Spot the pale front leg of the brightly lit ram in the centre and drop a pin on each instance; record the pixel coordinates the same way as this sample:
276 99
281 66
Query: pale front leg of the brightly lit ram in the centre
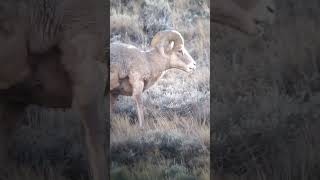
136 95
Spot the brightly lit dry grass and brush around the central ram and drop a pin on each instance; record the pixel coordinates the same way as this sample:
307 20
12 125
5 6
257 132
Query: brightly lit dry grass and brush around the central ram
174 143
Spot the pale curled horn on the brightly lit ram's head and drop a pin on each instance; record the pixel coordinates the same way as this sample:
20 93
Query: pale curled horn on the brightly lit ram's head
164 38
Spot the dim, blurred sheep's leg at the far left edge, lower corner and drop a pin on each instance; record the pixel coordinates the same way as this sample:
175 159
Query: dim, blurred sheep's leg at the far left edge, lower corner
9 114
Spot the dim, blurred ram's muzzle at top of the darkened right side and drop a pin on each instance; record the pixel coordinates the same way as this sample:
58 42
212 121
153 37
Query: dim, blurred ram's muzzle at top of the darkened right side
247 16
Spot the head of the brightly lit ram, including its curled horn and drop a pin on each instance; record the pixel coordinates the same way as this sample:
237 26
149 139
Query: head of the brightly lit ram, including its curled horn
170 45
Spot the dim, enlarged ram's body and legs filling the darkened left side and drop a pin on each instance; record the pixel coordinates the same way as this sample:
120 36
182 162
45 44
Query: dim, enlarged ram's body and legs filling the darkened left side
58 42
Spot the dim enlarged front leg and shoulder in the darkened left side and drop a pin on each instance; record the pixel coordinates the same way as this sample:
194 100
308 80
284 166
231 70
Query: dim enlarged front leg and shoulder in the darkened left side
80 59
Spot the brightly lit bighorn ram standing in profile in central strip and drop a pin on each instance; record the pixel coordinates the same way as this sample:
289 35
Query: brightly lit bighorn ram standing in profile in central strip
132 70
